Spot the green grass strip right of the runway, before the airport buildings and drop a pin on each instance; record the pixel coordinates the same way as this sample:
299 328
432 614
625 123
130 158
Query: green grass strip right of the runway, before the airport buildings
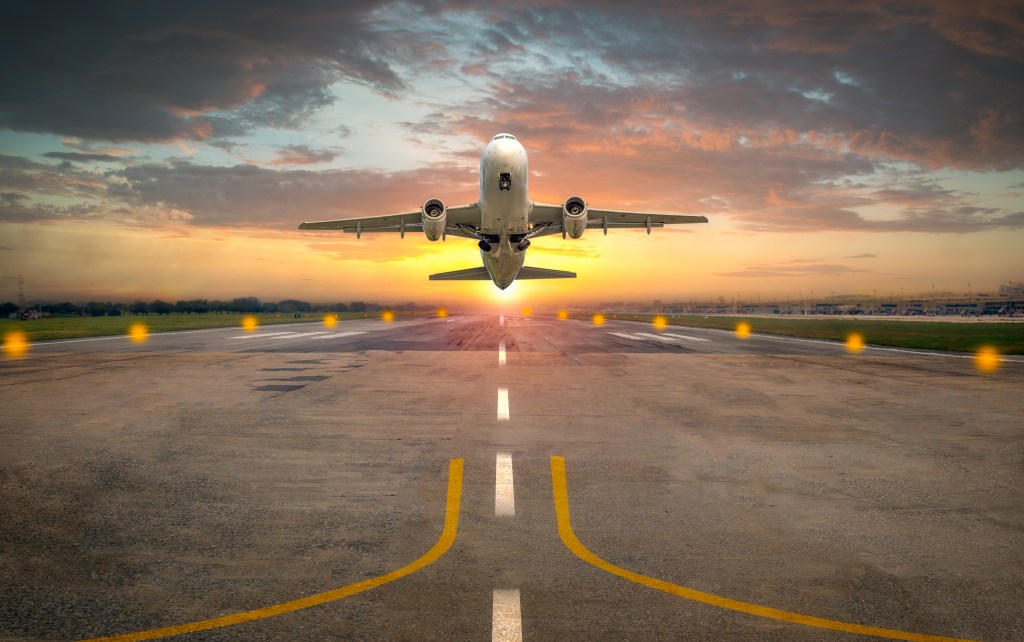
1007 338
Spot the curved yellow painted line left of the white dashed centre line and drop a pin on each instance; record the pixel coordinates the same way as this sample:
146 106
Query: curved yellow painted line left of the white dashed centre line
437 551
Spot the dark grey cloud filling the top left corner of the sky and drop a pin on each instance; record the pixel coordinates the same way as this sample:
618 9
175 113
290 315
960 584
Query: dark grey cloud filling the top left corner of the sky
117 71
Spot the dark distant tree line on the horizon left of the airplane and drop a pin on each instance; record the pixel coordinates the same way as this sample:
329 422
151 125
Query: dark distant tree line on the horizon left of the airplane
248 306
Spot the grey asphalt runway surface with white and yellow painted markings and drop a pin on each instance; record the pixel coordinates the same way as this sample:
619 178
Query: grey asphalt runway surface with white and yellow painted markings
503 479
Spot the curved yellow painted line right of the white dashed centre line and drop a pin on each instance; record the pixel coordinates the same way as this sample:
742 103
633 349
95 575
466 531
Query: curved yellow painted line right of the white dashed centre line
571 541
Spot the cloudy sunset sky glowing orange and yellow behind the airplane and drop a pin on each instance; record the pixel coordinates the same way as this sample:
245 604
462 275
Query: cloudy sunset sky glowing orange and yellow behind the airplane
170 150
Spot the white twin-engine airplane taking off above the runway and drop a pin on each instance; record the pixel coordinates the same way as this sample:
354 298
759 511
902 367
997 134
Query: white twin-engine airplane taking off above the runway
504 220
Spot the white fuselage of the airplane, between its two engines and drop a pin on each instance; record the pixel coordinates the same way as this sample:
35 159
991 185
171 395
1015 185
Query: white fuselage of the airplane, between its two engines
505 208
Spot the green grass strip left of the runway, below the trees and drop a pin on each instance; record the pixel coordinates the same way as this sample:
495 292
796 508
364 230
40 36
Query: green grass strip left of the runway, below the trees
80 327
